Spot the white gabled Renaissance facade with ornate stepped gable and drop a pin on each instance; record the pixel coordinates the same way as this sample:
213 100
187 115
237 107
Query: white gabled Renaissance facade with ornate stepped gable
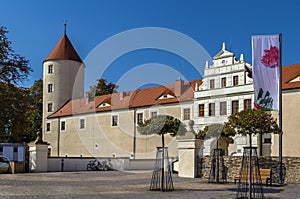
226 89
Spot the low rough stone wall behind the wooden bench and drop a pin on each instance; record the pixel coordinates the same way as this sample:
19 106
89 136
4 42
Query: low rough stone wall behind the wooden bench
291 167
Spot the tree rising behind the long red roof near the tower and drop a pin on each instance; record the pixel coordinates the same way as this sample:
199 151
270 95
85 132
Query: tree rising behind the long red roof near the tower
102 88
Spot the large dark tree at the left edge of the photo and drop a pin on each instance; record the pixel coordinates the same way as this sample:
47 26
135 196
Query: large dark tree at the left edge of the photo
14 70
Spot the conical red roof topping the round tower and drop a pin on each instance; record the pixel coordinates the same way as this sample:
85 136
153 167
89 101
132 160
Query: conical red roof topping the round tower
64 50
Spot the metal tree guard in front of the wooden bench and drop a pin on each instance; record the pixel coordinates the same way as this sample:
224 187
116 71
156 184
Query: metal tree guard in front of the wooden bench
250 185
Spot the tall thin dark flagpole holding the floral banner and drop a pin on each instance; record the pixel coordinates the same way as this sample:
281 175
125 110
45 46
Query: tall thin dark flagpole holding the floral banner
280 111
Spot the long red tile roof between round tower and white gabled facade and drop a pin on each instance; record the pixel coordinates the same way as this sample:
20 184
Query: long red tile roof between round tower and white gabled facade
131 99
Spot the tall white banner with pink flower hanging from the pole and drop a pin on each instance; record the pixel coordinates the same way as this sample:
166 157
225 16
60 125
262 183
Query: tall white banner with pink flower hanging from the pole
266 71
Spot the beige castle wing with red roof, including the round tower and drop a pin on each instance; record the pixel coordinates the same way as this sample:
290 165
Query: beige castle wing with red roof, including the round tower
107 125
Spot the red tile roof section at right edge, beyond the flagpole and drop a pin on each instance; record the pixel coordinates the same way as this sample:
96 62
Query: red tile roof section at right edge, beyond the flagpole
289 73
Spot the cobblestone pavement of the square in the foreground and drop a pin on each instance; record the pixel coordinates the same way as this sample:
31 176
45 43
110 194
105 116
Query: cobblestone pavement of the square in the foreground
117 184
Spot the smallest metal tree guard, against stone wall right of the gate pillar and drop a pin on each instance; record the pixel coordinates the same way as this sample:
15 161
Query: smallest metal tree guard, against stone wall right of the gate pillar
217 167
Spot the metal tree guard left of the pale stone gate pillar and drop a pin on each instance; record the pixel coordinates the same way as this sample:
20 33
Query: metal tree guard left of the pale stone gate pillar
162 176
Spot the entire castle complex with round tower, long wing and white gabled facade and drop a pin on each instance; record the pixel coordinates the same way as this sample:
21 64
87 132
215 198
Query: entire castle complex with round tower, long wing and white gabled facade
107 125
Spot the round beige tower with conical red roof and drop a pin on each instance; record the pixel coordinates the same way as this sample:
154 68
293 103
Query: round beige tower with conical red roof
63 79
